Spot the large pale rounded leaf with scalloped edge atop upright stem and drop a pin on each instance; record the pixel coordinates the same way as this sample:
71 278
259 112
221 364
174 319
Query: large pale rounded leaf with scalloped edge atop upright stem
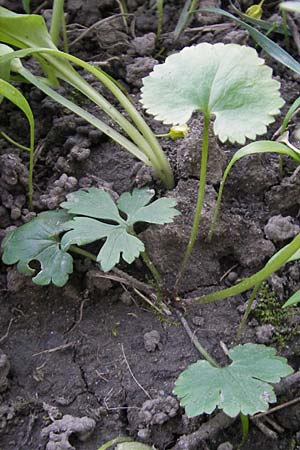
228 81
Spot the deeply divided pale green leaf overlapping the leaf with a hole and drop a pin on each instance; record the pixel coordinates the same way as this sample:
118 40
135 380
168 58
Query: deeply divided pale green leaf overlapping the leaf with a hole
120 238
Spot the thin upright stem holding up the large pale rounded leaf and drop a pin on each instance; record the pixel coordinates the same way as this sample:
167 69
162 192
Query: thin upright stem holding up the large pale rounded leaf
199 205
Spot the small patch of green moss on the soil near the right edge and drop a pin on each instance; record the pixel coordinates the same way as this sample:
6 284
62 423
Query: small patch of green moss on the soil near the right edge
269 311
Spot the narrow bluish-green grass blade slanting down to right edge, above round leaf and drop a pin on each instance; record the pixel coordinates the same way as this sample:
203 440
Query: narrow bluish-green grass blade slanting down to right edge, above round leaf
270 47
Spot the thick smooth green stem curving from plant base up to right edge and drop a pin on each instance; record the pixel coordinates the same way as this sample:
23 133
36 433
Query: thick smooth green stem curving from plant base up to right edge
277 261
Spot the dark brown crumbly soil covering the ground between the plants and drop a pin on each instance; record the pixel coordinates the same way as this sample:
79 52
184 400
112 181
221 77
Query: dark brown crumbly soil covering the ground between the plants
83 364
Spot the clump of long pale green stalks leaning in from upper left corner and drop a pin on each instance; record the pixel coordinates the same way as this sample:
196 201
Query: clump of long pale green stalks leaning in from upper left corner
16 30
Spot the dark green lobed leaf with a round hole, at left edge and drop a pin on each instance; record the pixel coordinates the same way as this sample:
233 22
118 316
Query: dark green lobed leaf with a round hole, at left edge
37 240
